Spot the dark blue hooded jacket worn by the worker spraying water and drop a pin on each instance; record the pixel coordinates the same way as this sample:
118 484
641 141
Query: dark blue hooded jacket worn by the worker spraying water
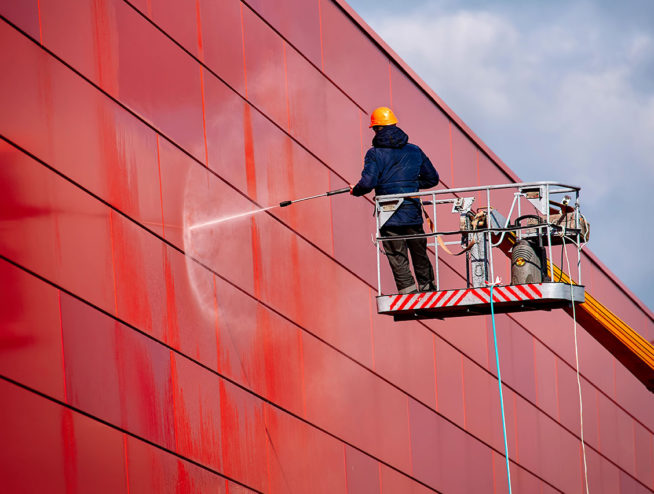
393 166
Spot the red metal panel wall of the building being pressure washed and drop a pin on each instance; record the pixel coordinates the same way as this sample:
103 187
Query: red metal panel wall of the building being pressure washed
138 357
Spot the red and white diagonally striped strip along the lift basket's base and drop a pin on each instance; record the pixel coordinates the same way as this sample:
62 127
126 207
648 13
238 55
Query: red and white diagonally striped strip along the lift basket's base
453 298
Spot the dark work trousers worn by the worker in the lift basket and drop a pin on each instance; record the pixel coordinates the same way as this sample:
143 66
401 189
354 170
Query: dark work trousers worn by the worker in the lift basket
397 252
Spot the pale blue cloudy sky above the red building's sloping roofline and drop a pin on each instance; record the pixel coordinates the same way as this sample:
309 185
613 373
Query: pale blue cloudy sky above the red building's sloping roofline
560 90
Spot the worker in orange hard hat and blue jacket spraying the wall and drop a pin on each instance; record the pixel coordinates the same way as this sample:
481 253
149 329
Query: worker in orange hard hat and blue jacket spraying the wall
394 166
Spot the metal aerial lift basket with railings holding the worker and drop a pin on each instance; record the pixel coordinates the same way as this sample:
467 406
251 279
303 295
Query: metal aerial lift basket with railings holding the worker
540 220
